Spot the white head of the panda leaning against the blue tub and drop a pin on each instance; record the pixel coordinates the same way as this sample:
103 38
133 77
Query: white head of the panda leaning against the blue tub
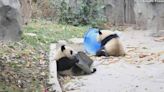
102 34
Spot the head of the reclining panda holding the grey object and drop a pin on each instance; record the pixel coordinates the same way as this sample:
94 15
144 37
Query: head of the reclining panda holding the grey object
65 51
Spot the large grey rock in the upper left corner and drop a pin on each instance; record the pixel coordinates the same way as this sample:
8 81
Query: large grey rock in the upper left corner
10 20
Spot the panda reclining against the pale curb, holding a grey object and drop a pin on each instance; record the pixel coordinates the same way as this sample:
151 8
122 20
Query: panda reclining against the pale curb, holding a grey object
66 61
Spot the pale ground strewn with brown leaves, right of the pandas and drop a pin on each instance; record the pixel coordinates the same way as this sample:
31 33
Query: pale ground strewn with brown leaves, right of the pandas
141 70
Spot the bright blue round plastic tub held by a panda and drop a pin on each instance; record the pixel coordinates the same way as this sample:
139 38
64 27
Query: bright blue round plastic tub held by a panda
90 43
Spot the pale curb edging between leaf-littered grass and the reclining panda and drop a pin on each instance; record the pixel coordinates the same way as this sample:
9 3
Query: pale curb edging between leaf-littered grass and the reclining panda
53 80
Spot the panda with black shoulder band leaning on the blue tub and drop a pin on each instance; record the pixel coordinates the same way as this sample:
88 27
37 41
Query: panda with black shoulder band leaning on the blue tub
110 44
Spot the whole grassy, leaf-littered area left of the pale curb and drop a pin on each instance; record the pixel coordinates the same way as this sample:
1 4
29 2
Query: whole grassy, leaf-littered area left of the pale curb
24 64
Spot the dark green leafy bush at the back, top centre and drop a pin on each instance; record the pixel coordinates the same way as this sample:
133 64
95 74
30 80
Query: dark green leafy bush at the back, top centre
87 13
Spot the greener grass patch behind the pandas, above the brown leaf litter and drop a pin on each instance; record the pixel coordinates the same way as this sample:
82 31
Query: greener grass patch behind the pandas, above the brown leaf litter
45 32
